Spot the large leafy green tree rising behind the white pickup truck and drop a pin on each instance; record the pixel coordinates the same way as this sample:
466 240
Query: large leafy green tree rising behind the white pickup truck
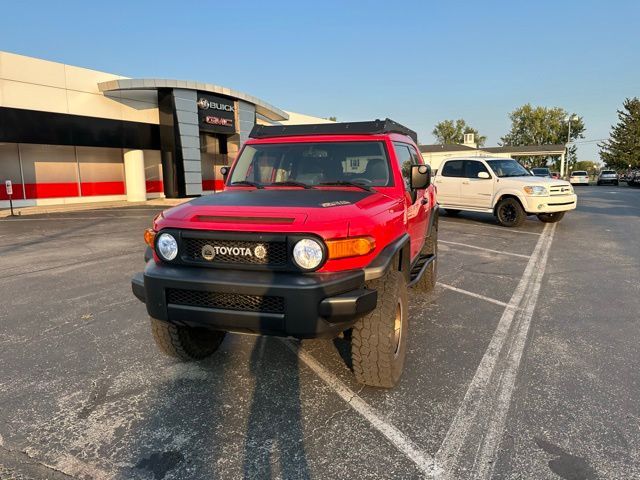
543 126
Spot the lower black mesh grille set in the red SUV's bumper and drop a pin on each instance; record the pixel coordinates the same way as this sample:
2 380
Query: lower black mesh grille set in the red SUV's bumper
225 301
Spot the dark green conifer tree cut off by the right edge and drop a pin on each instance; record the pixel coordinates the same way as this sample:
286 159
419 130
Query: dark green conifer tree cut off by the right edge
623 147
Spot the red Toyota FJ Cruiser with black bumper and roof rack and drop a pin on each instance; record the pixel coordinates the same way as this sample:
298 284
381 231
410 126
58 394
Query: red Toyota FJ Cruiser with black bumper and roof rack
320 230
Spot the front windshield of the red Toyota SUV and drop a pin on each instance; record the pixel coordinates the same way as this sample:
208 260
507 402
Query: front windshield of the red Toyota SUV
312 164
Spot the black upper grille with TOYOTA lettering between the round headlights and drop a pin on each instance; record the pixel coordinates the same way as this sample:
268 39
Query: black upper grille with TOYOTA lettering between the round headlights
235 252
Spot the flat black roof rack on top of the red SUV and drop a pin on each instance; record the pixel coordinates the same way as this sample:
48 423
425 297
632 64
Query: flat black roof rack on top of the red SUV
342 128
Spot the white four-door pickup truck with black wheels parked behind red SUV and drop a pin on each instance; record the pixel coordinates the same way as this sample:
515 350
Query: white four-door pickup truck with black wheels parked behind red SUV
503 187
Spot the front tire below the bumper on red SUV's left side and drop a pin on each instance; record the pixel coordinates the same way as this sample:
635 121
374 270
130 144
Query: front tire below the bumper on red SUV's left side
185 343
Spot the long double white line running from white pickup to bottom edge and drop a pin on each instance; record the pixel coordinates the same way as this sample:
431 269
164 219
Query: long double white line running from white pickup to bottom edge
475 434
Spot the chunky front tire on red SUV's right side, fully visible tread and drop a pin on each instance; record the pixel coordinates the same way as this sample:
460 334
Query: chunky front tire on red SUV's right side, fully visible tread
379 340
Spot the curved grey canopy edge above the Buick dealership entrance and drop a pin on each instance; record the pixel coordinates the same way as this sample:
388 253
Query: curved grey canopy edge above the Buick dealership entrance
262 107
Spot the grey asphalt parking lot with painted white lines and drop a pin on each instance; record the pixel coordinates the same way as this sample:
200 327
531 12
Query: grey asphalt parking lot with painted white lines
521 364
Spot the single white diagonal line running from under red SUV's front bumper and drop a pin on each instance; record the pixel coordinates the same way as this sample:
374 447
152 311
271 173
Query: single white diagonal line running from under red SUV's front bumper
422 460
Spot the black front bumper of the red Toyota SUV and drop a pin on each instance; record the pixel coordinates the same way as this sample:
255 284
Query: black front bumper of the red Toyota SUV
307 305
